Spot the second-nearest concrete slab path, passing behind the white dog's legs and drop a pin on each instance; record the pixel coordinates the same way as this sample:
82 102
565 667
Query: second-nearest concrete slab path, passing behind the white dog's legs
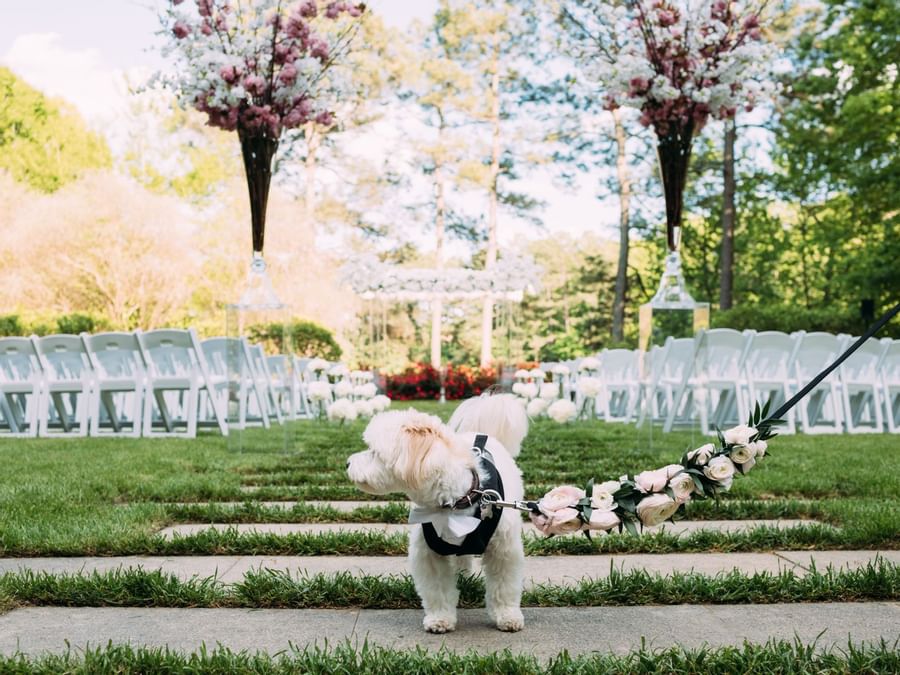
563 570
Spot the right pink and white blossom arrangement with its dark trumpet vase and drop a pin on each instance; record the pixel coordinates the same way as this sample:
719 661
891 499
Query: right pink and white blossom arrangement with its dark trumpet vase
679 63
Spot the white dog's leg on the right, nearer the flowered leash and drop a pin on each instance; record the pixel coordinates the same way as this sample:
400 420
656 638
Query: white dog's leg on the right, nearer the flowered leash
504 572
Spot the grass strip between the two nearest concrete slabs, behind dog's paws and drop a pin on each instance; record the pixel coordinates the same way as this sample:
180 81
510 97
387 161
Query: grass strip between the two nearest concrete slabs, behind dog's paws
272 589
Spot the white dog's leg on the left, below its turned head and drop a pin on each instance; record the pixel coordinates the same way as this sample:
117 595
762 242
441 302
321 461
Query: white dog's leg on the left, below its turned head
435 579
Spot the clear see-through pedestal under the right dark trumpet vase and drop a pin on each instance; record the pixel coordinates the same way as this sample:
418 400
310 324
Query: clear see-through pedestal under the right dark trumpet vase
672 312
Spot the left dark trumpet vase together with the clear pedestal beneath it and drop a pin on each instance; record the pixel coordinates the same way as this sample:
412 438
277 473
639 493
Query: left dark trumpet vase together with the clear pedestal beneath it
261 385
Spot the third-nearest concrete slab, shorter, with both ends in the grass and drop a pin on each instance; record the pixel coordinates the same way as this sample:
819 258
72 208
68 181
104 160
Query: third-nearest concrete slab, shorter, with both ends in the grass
678 528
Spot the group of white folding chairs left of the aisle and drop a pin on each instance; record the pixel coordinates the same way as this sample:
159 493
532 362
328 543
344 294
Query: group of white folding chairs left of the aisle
157 383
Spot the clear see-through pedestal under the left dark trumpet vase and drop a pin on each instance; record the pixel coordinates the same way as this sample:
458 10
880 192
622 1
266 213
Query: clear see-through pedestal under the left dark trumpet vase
260 391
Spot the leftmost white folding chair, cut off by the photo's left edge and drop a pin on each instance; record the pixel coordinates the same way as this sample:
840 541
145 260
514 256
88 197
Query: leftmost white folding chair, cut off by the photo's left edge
20 386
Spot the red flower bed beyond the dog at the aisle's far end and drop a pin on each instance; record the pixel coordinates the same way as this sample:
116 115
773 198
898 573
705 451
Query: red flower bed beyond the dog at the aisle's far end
422 381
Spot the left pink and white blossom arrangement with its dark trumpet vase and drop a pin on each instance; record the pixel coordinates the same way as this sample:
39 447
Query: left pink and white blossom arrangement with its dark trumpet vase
258 67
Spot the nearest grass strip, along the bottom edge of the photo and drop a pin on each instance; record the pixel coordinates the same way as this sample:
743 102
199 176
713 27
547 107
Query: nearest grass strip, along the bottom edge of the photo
774 657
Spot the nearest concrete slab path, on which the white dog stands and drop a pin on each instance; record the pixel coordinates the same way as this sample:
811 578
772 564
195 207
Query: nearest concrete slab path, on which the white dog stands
38 630
